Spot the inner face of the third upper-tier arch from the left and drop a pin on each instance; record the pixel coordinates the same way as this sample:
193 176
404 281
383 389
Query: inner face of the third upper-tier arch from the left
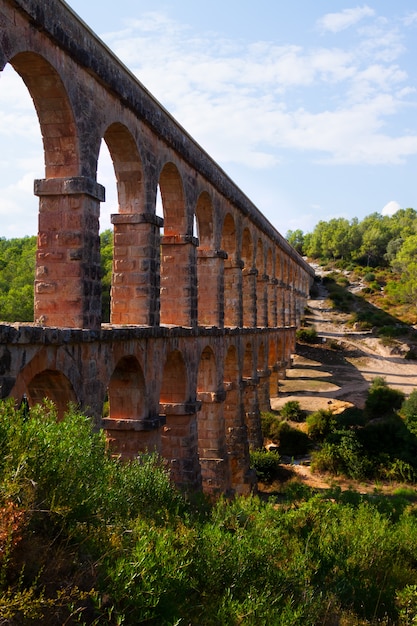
173 200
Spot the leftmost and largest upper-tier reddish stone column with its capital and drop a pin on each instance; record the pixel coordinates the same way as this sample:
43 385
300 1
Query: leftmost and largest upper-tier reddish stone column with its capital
68 274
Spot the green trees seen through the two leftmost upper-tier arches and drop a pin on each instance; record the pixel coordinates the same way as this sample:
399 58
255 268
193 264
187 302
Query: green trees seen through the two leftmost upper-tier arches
17 273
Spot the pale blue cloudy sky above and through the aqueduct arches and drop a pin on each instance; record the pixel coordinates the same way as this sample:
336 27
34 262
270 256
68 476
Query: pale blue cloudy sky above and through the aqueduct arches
310 107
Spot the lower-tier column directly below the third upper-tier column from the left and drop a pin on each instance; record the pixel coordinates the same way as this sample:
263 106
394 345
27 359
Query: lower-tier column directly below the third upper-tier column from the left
179 443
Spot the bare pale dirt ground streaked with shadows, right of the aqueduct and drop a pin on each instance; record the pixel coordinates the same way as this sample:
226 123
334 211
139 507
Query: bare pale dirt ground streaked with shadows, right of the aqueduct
336 374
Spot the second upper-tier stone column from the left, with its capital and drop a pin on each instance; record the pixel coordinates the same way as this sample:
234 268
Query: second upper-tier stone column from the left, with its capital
135 279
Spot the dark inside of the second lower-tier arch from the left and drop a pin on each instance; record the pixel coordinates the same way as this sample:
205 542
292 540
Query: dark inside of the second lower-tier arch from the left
127 390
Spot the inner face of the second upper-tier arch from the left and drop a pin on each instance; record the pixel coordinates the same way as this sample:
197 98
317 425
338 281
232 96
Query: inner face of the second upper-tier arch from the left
127 165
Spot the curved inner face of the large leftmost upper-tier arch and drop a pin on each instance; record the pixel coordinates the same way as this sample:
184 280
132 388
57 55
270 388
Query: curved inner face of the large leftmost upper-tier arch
54 112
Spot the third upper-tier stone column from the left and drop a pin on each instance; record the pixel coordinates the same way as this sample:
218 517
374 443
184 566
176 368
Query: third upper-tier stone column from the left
179 280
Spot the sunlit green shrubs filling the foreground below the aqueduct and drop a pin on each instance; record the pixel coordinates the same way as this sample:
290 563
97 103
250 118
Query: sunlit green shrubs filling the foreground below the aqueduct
86 539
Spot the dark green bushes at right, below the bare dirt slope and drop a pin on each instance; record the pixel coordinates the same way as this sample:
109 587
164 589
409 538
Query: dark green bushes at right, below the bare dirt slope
376 443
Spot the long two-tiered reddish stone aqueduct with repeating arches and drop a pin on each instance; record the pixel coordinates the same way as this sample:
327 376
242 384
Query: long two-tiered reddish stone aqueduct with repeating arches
202 324
